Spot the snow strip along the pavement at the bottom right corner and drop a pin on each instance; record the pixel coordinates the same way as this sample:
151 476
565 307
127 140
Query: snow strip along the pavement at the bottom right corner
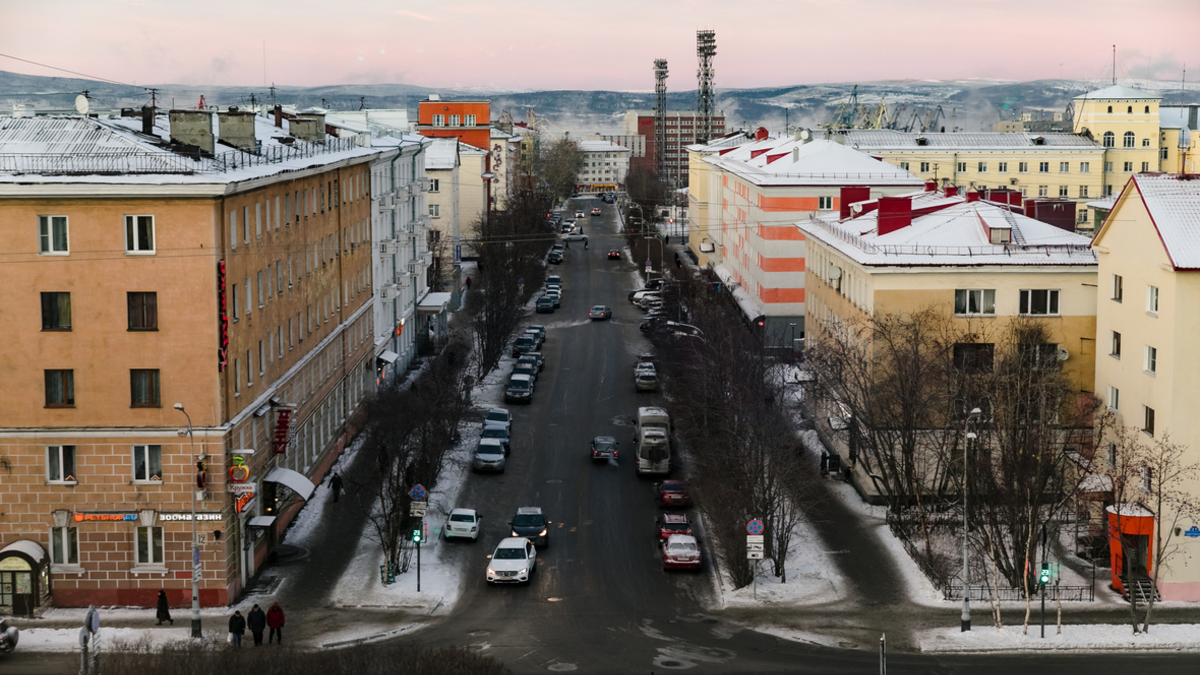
1078 638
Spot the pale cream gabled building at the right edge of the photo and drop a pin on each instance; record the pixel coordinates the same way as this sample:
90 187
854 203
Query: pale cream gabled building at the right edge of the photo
1147 363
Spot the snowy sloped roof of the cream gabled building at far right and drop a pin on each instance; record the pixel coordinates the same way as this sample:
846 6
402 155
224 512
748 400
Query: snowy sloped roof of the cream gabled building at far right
1174 206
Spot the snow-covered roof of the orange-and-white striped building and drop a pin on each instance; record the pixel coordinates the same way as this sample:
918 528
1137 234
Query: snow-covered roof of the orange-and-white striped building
790 162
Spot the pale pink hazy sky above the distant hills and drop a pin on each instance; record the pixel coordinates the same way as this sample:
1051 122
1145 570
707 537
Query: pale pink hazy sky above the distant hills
573 45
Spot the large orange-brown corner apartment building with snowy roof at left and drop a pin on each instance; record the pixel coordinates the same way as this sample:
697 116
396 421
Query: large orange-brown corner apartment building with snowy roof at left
190 307
